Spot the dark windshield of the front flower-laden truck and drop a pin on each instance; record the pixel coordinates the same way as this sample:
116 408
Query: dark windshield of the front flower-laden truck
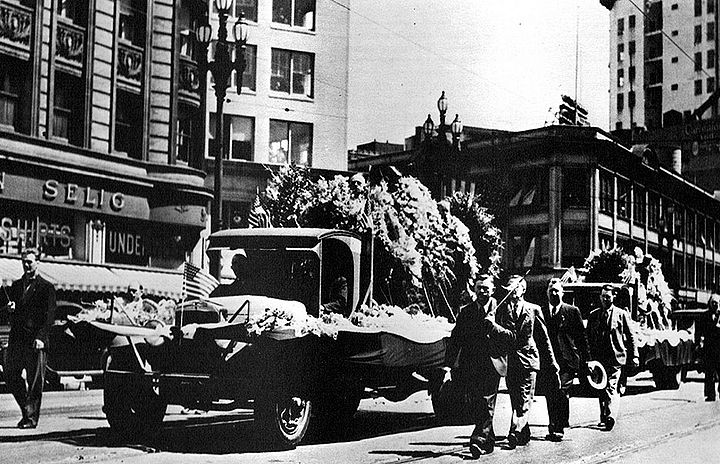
275 273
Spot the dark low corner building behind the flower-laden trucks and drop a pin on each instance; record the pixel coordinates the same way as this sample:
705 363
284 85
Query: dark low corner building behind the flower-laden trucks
559 192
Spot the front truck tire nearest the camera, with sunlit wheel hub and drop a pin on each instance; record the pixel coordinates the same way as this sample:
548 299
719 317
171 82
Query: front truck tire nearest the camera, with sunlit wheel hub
281 421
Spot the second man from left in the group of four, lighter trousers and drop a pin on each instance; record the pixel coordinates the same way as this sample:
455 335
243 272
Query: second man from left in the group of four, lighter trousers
518 316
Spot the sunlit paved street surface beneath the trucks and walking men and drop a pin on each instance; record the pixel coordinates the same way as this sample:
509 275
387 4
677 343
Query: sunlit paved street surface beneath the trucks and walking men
654 426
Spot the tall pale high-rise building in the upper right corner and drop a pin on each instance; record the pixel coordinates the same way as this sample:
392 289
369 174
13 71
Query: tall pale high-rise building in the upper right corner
663 61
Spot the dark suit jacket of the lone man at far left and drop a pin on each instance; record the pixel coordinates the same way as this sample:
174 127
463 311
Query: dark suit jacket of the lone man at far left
34 311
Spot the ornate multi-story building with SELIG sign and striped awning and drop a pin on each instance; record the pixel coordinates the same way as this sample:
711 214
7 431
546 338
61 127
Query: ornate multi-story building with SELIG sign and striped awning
98 101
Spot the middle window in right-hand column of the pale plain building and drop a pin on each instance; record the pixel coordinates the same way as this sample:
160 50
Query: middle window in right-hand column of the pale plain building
292 72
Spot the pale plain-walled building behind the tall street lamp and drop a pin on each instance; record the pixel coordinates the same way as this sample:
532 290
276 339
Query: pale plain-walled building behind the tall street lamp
293 103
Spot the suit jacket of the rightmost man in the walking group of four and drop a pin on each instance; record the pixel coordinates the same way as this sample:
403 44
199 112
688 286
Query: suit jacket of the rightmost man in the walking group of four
610 337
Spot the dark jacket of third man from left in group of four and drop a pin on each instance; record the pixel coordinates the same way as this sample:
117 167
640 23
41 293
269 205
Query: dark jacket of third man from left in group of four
567 335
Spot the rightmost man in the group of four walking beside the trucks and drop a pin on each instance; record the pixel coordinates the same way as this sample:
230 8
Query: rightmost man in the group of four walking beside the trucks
612 343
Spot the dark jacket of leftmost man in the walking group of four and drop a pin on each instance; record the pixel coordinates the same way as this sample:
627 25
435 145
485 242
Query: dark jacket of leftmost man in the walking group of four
478 345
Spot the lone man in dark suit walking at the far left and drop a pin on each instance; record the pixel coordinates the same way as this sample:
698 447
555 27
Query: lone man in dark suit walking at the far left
32 306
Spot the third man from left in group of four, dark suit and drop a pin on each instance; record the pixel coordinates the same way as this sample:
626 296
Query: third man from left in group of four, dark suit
567 335
